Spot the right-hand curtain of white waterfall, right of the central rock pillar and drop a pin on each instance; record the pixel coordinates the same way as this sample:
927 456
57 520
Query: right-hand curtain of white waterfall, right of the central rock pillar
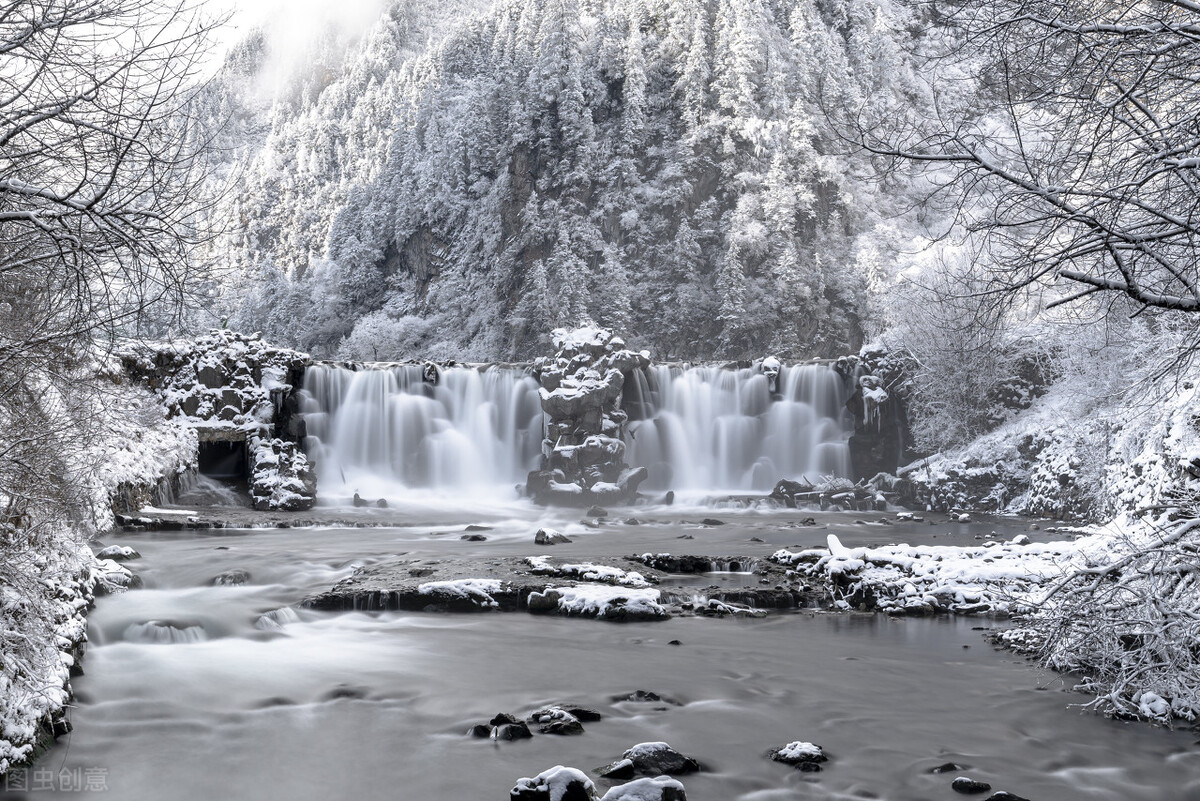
705 429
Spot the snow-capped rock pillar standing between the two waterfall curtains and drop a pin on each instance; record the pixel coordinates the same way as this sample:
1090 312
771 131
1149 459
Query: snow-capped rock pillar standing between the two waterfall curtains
584 455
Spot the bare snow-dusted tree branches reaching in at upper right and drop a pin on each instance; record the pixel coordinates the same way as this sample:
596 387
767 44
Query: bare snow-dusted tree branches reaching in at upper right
1071 133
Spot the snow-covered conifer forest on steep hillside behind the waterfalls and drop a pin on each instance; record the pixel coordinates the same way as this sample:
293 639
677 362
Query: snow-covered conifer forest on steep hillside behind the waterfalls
457 185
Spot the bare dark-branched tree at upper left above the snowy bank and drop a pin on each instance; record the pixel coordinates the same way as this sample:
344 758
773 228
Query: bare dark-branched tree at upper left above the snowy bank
101 164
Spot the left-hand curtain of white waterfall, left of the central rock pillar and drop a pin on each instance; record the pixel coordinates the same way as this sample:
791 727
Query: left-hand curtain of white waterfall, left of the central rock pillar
381 432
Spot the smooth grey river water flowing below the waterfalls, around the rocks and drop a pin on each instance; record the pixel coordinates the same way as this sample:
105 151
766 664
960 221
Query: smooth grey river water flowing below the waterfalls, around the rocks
376 707
